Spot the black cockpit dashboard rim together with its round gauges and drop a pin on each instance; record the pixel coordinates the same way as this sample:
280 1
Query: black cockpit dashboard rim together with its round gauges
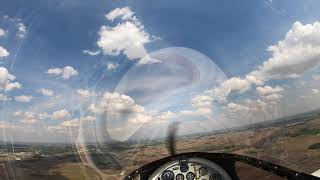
207 166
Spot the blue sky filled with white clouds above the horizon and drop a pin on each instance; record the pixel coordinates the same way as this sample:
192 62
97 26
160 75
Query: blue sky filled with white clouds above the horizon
118 70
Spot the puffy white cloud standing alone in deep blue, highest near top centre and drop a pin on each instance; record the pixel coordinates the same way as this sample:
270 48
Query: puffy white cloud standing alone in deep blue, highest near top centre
127 37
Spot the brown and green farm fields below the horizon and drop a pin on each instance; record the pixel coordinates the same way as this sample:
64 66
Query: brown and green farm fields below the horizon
293 144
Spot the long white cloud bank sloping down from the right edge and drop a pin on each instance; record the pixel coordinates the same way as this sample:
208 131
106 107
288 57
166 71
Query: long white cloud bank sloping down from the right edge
296 54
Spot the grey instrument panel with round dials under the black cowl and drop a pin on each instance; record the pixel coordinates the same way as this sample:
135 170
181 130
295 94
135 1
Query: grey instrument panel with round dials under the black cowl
190 169
